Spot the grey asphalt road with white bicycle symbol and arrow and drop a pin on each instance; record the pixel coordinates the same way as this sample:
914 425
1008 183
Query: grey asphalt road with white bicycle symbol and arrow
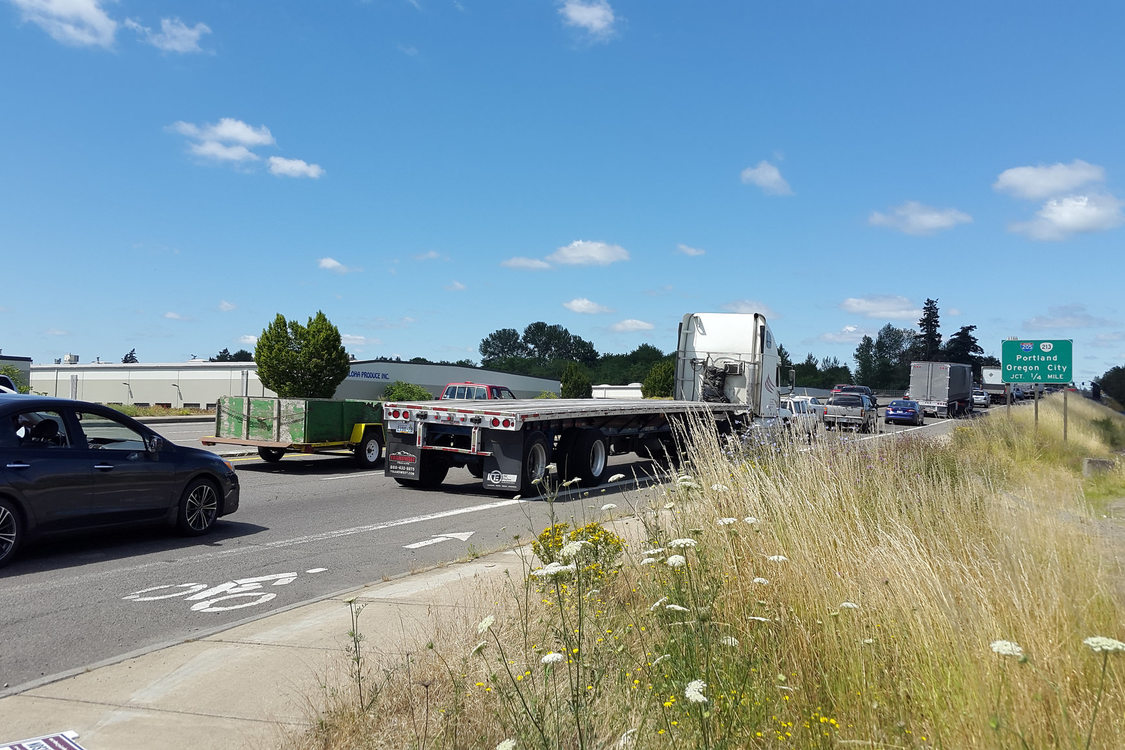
309 528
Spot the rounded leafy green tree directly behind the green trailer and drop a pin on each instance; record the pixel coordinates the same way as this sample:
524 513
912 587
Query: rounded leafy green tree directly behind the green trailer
302 362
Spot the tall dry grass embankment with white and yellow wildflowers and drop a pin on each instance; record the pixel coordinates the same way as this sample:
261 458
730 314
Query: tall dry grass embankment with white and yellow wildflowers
889 594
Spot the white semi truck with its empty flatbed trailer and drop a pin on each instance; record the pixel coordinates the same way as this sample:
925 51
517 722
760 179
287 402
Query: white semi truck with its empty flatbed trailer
726 374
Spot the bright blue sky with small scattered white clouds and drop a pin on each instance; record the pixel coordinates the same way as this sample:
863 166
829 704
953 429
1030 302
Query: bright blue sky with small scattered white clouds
174 175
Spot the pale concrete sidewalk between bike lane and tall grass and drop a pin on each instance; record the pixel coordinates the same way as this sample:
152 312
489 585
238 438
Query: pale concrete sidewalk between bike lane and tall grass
242 688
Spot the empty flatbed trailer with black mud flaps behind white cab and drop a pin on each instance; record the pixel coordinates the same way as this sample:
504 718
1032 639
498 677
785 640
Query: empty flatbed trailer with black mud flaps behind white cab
509 445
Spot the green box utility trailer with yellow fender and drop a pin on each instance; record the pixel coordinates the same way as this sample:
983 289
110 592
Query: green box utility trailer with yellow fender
300 426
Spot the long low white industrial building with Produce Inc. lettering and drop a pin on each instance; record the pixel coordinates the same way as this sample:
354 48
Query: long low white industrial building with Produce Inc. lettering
199 384
